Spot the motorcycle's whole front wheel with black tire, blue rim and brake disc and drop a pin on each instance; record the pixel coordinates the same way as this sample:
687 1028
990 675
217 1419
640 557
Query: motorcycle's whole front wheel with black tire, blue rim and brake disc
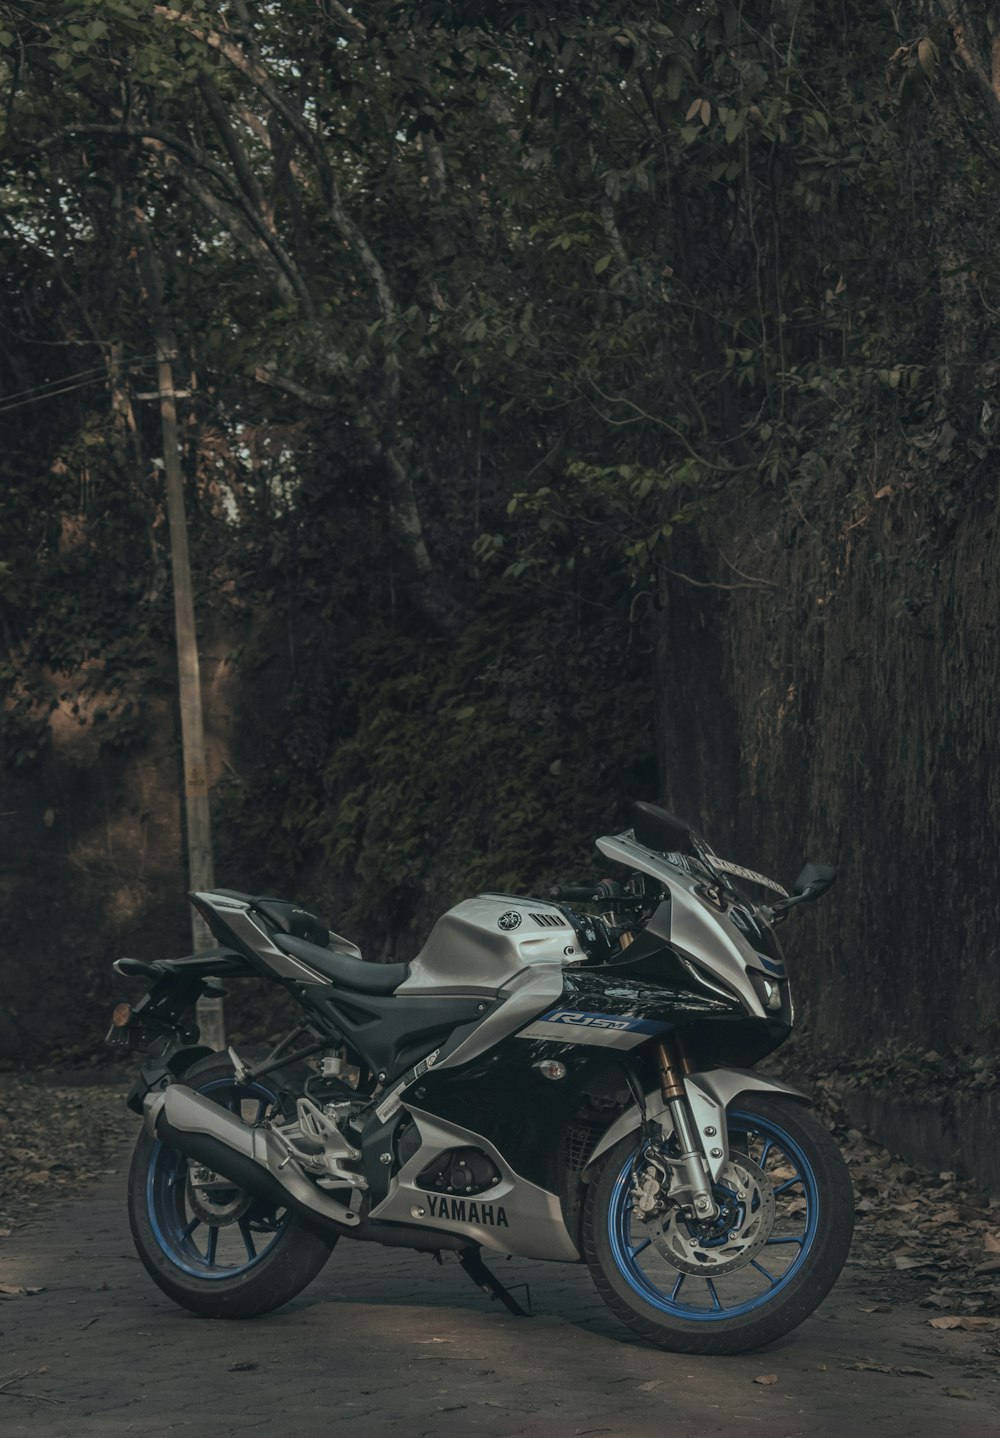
765 1265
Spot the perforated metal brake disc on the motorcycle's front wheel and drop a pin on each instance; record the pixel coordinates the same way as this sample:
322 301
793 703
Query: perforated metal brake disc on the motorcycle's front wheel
746 1199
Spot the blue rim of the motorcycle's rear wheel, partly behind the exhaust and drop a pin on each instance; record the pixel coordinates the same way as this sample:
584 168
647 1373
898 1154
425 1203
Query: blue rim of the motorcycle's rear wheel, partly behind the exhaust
192 1243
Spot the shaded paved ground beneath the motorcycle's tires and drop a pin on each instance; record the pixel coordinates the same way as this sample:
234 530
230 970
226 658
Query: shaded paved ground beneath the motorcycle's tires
389 1344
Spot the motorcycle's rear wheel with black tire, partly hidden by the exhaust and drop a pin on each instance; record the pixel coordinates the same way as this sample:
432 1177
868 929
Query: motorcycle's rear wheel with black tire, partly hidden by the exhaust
217 1250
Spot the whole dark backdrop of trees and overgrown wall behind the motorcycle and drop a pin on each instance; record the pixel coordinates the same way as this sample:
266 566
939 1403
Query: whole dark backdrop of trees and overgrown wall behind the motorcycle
576 405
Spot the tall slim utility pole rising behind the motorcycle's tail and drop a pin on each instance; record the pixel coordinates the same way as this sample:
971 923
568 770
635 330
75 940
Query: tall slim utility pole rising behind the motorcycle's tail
189 674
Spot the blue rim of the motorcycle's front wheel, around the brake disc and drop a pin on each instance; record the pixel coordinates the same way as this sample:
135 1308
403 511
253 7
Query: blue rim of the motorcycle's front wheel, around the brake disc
716 1298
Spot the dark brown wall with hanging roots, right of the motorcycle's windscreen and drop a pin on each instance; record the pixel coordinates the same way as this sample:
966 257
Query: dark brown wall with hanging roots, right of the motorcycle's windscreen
853 720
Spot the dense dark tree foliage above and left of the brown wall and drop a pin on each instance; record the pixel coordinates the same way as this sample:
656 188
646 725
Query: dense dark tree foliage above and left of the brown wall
480 308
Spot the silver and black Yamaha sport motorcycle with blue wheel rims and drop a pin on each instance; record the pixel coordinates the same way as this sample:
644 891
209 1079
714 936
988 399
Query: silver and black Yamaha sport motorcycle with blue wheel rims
566 1078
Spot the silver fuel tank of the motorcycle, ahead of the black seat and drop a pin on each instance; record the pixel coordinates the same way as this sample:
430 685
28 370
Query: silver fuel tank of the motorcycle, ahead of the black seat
484 943
